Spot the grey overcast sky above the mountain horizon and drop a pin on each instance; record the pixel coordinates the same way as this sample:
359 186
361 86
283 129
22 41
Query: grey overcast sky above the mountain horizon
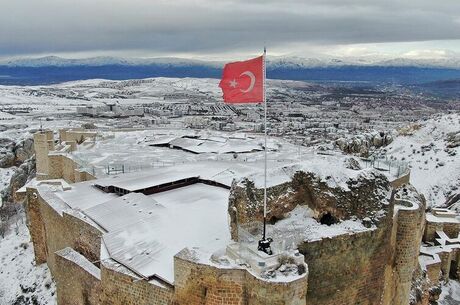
224 29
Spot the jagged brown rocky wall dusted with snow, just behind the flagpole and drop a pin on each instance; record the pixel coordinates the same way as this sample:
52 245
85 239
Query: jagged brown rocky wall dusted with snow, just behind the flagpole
364 197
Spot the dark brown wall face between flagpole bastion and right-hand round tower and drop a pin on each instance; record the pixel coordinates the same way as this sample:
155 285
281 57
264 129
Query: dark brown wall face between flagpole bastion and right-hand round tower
349 269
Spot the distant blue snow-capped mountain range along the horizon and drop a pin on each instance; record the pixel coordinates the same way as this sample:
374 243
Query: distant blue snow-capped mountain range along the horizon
53 69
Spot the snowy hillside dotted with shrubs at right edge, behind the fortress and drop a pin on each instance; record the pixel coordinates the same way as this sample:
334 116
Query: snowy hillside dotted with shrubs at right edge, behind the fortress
434 172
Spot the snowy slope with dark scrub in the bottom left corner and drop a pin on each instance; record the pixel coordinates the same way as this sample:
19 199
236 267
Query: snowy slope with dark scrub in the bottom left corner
21 280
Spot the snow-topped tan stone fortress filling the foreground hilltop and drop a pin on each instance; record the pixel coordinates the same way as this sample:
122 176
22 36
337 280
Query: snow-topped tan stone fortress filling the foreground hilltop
187 234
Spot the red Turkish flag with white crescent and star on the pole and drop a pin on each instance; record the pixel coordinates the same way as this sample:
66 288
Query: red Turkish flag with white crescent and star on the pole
243 81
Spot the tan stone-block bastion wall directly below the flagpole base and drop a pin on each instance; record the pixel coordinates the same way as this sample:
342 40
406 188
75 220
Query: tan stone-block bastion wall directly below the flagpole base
197 284
